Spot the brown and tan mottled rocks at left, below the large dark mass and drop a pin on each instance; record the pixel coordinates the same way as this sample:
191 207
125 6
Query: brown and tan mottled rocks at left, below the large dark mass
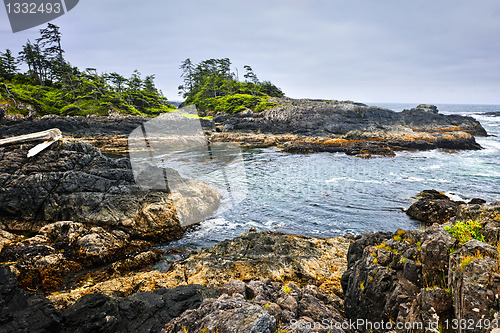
64 247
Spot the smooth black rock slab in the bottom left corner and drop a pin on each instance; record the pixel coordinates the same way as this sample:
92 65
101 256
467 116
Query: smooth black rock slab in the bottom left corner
23 311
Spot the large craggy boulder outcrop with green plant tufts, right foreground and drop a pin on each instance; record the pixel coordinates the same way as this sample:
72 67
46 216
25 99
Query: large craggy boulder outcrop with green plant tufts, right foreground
427 276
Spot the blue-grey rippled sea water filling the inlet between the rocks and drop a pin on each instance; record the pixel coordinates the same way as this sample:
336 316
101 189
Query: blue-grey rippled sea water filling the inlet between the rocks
332 194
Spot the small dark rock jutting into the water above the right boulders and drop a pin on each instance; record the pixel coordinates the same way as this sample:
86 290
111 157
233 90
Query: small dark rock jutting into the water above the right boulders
433 207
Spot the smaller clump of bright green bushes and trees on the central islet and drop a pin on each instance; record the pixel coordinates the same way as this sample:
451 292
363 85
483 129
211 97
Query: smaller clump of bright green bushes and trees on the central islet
211 86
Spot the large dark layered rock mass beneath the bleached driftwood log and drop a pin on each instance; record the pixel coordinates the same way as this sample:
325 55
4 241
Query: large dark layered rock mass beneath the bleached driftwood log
74 181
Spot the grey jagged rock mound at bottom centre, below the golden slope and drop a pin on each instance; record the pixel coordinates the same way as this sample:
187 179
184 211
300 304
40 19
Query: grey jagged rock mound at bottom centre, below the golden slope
260 306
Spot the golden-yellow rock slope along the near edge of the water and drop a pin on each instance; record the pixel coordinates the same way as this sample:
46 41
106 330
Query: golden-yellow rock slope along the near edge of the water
252 256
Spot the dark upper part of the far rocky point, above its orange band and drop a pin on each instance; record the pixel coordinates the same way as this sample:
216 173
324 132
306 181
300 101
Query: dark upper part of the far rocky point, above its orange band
322 118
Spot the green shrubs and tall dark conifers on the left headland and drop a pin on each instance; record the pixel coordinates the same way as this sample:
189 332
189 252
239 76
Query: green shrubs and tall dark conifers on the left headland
52 86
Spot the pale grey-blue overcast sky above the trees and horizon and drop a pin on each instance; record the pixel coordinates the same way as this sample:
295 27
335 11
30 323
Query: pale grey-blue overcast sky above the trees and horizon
425 51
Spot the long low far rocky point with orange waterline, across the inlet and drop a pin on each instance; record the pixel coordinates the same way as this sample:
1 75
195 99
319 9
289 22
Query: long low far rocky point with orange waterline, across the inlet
353 128
